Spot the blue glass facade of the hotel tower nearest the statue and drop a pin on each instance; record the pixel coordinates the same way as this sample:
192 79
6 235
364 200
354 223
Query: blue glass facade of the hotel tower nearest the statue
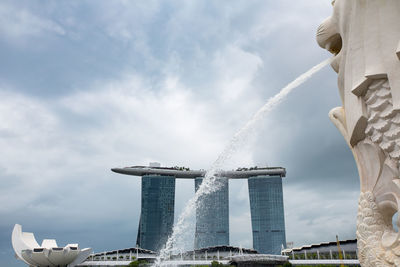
267 215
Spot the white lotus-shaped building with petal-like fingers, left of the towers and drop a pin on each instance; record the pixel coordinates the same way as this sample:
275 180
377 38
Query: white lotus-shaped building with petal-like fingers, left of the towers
48 254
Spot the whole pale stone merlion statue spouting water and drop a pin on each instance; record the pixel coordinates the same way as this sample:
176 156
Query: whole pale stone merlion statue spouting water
364 35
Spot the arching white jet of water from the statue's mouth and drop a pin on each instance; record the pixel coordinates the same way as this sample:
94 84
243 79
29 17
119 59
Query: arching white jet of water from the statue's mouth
210 182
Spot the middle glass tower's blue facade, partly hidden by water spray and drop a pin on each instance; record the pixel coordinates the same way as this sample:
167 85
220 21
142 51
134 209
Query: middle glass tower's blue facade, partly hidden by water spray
212 217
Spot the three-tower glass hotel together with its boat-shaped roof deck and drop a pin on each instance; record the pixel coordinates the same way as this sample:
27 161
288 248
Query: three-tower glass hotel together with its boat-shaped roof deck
212 217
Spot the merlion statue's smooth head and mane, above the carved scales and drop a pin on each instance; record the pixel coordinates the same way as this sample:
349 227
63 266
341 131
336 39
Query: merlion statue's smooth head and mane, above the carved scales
364 36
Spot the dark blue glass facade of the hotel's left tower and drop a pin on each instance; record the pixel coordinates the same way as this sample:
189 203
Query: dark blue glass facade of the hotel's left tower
157 214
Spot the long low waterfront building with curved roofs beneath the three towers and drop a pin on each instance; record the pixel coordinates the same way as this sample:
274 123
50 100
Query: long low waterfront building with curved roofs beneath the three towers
323 254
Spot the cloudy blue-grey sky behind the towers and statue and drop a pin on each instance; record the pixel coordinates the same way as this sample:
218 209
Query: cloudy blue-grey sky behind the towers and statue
89 85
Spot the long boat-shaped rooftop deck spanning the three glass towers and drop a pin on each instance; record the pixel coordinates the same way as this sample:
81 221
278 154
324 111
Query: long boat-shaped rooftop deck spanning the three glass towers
186 173
